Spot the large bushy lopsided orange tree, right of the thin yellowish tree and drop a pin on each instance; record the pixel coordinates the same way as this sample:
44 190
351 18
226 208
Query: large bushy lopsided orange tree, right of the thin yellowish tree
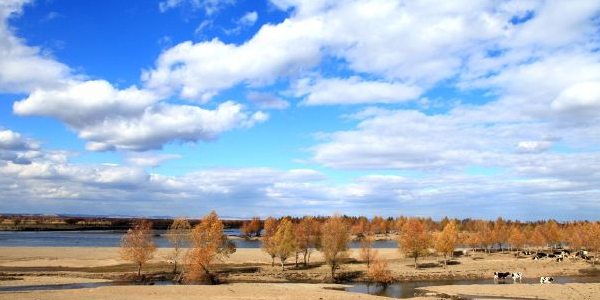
208 244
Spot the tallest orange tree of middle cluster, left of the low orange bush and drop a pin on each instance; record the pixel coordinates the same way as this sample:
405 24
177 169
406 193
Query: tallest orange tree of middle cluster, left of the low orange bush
335 236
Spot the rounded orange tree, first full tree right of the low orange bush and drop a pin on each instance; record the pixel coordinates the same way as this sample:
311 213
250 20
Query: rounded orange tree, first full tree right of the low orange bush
415 239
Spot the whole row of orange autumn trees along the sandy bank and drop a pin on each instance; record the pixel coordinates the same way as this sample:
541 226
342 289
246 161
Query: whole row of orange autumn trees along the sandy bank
295 239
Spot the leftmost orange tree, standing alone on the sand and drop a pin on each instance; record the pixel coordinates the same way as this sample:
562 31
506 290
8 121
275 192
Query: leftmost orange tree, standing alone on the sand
137 245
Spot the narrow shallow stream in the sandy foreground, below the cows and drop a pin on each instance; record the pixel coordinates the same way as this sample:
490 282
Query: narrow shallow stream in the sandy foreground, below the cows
408 289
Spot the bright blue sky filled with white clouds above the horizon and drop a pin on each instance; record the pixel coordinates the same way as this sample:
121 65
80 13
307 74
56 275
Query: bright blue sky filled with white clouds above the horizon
425 108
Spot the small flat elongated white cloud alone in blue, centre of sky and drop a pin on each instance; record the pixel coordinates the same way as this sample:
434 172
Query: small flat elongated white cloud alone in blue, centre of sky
353 90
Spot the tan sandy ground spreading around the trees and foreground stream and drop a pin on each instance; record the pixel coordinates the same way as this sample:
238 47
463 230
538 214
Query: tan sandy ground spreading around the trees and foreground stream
55 265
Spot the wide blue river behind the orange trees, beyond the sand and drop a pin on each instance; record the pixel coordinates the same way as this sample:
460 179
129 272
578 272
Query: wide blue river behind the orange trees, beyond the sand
108 238
